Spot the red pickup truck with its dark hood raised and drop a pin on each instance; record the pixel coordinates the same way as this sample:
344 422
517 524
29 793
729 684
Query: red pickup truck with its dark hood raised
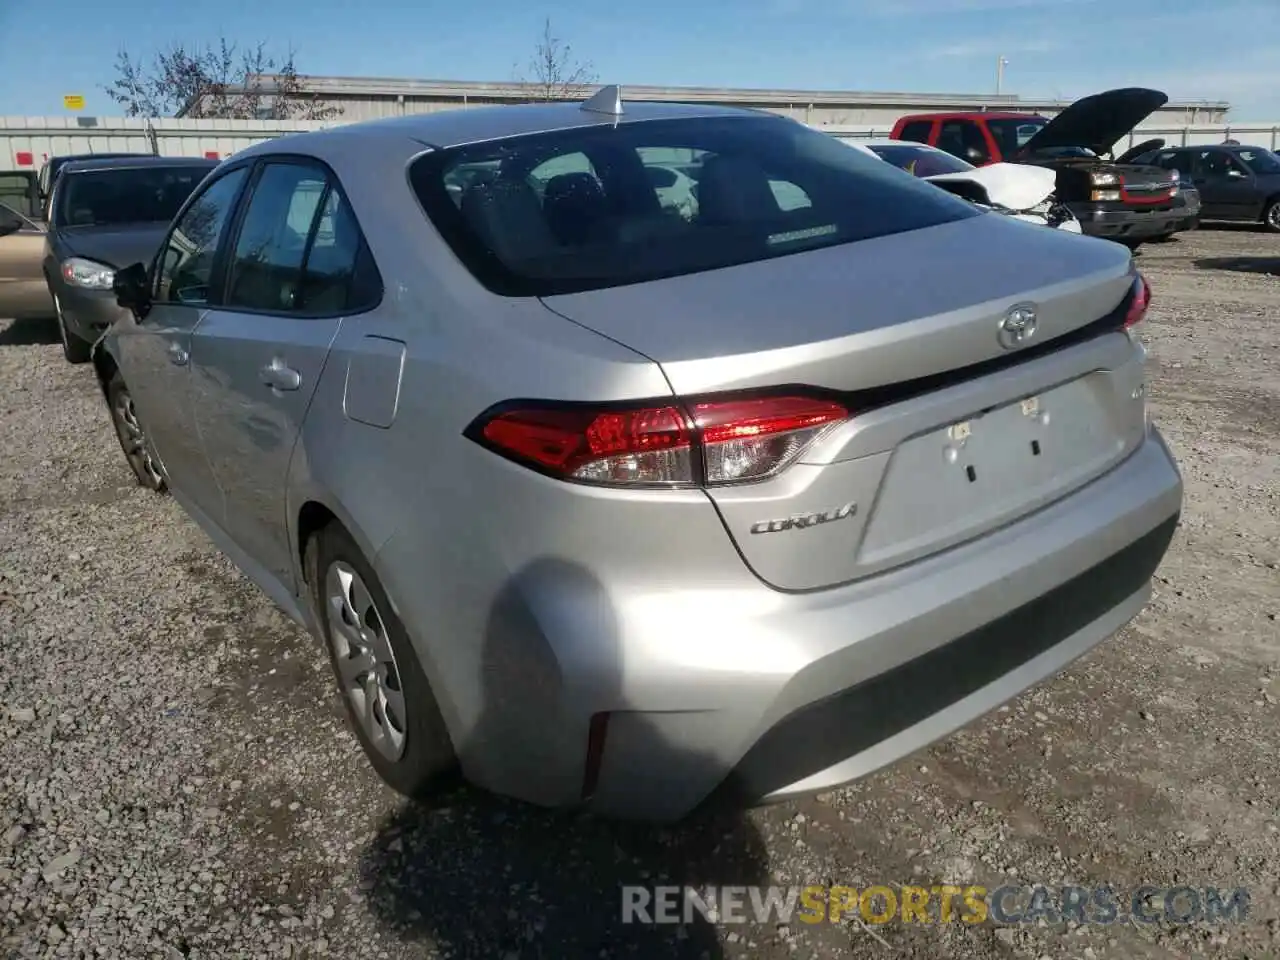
1122 202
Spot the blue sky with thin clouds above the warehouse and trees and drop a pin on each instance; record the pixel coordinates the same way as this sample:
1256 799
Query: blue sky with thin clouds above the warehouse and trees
1055 48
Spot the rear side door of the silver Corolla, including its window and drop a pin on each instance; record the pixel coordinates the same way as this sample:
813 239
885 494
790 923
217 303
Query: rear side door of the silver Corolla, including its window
260 354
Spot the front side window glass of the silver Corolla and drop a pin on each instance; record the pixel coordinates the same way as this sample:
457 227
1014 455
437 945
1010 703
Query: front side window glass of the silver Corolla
188 258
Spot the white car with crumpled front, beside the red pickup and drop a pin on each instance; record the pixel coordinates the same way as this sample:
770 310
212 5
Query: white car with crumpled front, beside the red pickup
1017 190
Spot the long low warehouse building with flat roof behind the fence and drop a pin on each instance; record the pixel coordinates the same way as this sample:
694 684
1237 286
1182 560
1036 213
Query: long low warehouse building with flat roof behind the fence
371 98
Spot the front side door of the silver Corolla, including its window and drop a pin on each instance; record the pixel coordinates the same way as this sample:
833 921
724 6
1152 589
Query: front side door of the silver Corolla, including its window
156 353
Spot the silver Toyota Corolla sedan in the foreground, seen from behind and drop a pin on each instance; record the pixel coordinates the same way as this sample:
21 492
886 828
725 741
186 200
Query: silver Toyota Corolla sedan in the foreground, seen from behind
638 502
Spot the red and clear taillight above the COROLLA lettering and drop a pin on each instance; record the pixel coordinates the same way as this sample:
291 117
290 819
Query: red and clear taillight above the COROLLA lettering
712 442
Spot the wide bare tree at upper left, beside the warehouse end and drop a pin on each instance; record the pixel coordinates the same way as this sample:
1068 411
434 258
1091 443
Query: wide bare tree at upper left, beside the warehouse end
218 80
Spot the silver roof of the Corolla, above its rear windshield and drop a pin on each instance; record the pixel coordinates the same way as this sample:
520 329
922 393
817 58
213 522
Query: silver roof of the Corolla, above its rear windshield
476 125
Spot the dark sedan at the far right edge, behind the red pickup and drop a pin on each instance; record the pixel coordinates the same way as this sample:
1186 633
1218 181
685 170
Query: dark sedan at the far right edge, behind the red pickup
1236 182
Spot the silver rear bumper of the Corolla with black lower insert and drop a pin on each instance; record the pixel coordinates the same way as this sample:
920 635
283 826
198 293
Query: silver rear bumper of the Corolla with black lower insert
749 694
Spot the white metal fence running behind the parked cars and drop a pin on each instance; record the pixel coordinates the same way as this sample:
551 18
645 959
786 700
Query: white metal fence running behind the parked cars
28 143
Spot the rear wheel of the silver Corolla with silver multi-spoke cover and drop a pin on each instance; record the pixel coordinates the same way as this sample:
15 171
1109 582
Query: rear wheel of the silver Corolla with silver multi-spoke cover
386 693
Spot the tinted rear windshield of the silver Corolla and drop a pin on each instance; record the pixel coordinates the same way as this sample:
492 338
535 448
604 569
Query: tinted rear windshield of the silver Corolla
604 207
